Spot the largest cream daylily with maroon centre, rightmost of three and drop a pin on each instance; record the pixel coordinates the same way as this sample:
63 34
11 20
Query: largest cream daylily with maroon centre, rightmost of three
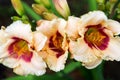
93 38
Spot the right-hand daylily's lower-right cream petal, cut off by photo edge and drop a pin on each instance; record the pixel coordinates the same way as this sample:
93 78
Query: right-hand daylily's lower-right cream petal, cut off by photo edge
113 50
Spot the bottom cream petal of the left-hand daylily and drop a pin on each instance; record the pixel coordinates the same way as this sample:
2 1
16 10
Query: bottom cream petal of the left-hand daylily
36 67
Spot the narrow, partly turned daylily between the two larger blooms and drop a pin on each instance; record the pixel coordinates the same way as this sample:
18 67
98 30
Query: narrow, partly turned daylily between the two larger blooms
56 50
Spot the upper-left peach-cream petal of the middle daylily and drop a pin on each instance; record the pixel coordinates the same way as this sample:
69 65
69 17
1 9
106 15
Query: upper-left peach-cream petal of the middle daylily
48 28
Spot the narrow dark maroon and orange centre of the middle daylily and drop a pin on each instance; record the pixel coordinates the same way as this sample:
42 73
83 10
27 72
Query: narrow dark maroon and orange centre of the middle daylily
55 44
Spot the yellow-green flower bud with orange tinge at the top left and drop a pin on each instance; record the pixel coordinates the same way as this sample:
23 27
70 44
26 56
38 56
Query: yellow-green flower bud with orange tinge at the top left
18 7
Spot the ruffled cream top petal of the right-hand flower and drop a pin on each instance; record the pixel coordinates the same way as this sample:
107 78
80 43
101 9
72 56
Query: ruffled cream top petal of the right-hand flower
93 18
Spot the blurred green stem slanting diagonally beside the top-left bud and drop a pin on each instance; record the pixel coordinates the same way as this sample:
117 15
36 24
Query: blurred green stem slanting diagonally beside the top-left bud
30 12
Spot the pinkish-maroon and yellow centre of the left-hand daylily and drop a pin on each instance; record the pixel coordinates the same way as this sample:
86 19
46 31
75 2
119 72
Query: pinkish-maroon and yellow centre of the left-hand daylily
19 49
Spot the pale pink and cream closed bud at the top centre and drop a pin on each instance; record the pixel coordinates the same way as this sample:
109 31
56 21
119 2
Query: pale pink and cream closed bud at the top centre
62 7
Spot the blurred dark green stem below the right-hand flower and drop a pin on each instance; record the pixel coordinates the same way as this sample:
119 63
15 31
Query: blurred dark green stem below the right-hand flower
97 73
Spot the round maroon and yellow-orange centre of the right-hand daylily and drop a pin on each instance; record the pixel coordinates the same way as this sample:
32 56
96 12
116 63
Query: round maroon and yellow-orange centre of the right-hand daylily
96 37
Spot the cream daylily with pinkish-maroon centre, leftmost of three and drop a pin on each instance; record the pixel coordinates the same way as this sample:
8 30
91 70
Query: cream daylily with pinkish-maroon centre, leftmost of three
19 47
